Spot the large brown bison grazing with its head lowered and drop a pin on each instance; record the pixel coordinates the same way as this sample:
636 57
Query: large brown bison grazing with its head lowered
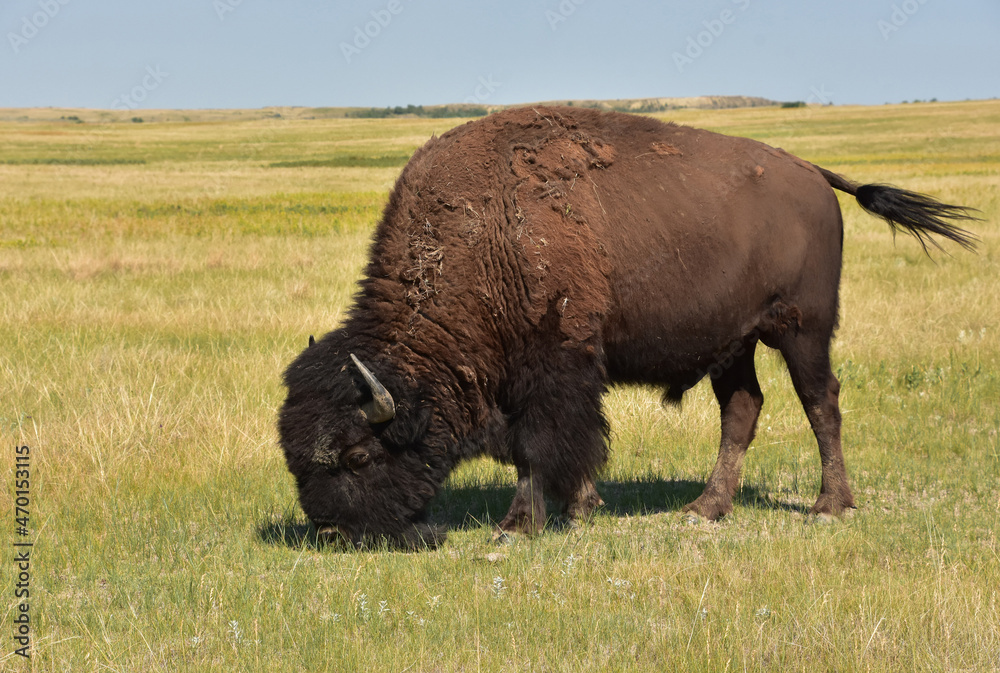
526 261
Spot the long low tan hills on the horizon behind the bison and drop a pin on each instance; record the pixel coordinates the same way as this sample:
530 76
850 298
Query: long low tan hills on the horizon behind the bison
86 115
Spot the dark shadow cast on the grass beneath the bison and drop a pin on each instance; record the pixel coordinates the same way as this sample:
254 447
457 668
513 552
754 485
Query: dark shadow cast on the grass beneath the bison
472 507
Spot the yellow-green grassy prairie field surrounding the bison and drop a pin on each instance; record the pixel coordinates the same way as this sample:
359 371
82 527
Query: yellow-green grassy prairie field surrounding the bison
156 278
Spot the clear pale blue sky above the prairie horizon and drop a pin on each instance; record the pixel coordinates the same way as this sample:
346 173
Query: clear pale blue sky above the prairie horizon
190 54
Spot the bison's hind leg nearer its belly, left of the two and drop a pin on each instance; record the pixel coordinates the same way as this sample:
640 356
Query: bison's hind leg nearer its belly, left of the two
740 401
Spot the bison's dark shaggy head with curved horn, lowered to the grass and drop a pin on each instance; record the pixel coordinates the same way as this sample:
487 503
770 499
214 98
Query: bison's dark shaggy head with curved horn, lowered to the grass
360 458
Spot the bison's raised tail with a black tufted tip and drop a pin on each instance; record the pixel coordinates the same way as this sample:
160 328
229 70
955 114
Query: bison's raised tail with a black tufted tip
916 214
